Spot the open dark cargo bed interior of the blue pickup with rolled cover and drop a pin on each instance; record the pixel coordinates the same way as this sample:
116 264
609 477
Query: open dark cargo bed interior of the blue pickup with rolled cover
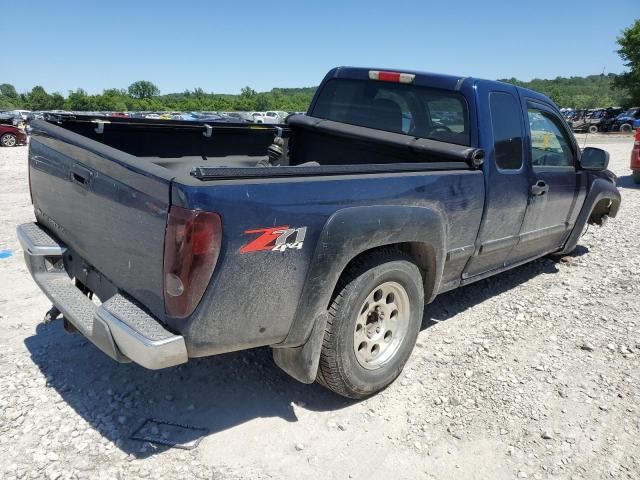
187 149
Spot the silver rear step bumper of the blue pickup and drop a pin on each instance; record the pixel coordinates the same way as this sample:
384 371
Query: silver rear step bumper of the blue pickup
119 327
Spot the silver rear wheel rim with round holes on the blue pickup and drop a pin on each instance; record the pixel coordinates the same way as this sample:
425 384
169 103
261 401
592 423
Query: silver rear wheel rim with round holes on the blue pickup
381 325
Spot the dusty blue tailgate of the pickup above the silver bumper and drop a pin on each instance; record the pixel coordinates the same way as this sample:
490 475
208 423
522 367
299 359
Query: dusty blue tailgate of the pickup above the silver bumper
108 207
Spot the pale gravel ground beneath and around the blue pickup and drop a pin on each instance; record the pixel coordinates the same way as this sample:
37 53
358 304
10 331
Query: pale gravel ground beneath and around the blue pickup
534 373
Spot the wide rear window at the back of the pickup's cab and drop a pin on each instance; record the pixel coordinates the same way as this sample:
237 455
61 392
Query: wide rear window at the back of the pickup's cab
395 107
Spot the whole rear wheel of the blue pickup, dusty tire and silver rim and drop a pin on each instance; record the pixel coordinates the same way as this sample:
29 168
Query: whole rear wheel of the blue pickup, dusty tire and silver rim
373 324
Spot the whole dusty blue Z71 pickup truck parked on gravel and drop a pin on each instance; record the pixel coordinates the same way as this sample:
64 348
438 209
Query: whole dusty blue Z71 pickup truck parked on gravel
322 238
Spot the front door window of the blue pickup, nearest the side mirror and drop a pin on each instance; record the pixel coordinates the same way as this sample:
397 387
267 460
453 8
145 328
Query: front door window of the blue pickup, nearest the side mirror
550 145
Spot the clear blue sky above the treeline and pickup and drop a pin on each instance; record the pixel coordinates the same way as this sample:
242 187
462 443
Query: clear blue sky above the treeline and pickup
223 46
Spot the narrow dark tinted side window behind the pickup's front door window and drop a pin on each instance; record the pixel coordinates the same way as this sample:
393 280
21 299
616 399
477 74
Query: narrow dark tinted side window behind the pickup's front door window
506 122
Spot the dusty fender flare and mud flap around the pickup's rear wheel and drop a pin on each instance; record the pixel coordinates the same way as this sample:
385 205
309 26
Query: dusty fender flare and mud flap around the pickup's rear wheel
348 233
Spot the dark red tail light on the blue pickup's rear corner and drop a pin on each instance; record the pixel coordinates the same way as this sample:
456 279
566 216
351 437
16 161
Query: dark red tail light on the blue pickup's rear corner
191 248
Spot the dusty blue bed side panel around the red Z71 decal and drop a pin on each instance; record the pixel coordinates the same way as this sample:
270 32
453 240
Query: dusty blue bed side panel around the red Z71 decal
253 297
